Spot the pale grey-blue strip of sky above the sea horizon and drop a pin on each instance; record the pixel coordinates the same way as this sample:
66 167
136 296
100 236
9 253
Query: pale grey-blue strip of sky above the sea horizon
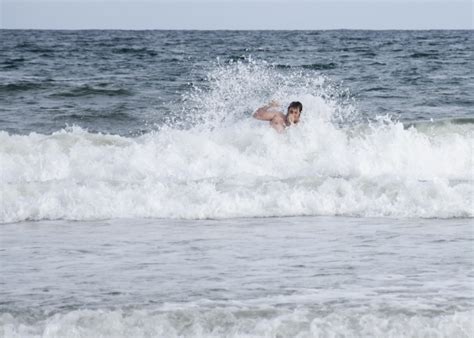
236 14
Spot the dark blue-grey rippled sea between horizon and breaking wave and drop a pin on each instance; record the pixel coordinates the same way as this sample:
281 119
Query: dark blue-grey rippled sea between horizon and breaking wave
128 82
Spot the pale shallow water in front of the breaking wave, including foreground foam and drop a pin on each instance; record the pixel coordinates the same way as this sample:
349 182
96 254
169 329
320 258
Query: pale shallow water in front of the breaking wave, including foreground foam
274 276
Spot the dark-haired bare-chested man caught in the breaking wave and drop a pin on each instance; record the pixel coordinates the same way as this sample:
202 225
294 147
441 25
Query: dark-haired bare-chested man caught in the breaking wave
277 119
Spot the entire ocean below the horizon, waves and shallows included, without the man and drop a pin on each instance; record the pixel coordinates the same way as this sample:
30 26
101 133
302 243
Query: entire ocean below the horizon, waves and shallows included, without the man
139 198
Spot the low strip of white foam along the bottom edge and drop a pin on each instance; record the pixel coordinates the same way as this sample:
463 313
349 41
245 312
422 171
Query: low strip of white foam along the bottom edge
235 322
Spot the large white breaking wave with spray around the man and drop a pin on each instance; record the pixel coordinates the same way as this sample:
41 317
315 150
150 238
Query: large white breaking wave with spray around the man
214 161
